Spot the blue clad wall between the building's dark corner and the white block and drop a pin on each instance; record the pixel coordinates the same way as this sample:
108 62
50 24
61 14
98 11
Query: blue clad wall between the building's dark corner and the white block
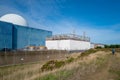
26 36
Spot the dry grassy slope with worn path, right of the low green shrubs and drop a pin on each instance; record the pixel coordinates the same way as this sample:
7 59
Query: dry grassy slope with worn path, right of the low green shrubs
101 65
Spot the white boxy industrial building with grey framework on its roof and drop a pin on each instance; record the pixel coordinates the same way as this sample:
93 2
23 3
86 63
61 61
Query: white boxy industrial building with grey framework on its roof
68 42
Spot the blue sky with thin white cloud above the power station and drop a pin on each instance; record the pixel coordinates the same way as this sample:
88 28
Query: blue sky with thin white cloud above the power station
99 19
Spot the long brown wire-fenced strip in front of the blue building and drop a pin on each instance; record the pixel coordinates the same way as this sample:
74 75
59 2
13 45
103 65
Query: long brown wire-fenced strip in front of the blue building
22 57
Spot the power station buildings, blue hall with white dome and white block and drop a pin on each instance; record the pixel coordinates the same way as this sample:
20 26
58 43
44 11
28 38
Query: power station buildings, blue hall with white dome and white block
15 34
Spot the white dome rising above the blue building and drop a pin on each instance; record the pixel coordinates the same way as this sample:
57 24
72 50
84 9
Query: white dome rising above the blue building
15 19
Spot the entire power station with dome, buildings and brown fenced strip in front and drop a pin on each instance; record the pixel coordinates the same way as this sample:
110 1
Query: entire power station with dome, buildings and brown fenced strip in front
20 43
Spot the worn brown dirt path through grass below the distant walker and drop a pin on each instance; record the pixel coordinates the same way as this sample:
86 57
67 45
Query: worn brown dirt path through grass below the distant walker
104 73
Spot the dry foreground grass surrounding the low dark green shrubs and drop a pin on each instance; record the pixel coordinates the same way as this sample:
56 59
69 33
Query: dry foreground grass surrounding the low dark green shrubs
77 70
